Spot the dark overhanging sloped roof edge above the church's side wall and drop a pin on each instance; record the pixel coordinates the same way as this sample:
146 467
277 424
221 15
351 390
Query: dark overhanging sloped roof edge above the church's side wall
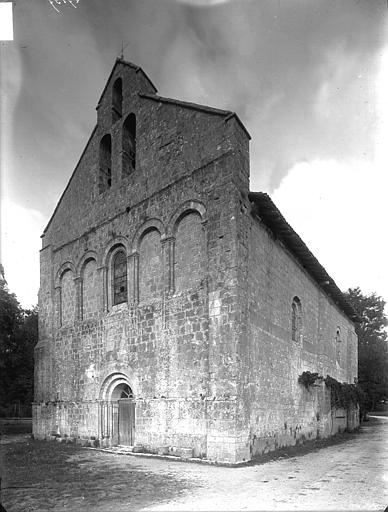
266 210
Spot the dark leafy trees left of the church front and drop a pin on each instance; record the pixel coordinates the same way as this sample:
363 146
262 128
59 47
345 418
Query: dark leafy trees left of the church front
18 336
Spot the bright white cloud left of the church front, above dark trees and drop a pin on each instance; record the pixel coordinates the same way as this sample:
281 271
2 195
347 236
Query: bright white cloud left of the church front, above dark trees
20 235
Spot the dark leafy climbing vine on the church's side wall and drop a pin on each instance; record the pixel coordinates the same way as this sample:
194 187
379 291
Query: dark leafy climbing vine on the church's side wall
342 394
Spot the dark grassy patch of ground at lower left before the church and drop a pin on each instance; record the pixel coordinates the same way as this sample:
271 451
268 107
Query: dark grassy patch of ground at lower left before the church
39 475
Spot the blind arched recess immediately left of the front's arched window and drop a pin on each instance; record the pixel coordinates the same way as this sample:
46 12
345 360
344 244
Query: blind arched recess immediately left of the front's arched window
90 289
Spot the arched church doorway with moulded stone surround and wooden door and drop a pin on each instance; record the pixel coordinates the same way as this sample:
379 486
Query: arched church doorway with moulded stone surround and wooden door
118 410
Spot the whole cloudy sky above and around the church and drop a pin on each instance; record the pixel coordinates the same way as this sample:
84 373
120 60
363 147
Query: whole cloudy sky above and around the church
309 79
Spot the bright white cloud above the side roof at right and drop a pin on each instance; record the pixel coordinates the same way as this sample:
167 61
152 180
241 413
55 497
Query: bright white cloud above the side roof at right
339 208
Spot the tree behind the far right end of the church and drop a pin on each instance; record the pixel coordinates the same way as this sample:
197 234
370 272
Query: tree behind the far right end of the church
372 346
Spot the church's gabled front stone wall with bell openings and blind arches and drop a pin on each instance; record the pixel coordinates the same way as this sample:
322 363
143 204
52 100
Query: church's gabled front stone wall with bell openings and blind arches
174 338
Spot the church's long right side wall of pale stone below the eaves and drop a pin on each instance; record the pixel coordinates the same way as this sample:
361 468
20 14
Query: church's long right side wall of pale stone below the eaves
278 411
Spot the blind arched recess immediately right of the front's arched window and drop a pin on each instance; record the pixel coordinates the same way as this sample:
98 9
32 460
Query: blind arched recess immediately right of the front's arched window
151 277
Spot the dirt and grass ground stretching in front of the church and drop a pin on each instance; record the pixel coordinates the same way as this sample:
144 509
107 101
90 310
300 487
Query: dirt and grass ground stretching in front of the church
350 473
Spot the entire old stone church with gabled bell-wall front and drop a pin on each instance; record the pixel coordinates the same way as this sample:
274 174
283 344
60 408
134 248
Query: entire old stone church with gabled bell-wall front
177 308
